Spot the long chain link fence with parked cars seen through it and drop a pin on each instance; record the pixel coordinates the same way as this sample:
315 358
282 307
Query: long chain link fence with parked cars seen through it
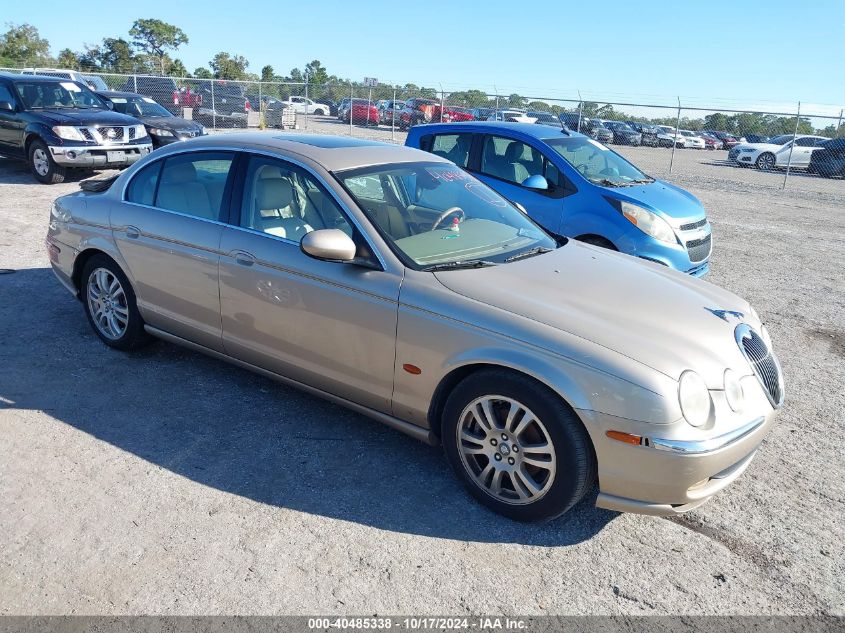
663 137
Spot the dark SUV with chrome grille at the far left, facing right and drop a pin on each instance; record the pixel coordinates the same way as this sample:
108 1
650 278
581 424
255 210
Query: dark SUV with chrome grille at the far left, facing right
56 124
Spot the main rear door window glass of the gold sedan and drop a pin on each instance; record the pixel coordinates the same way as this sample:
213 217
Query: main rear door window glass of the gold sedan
194 183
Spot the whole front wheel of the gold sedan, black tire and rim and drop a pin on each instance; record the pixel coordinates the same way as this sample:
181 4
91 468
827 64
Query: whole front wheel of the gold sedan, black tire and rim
516 446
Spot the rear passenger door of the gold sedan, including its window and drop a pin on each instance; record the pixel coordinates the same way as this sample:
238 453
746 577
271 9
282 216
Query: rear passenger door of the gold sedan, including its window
168 232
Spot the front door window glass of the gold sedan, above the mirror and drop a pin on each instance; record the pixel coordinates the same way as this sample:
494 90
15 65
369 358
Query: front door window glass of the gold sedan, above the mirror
285 201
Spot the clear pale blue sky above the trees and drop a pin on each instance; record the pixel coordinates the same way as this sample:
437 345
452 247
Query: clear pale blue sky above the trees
751 54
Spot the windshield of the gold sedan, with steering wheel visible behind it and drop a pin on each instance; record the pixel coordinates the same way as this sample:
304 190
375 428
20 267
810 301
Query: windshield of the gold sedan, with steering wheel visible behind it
435 213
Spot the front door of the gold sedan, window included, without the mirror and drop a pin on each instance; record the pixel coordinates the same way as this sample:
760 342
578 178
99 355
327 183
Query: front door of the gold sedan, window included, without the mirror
329 325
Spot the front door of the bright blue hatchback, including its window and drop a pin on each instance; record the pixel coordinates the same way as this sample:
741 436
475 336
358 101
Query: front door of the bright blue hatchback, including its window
505 163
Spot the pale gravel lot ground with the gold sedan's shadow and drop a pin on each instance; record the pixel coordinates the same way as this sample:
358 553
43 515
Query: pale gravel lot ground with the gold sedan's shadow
168 483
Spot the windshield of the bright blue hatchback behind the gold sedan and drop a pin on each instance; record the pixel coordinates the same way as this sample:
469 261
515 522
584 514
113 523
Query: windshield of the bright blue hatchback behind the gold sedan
597 163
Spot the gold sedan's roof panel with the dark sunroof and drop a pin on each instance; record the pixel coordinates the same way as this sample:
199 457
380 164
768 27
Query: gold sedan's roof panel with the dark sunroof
335 153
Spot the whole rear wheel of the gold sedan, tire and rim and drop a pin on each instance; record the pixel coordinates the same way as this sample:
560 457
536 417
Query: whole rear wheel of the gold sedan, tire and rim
110 305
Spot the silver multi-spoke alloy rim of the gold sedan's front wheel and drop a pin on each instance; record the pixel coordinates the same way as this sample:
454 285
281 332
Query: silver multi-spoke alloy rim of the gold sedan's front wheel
506 449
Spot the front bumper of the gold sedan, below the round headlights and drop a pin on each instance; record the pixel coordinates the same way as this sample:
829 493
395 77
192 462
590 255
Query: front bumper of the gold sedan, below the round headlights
662 476
